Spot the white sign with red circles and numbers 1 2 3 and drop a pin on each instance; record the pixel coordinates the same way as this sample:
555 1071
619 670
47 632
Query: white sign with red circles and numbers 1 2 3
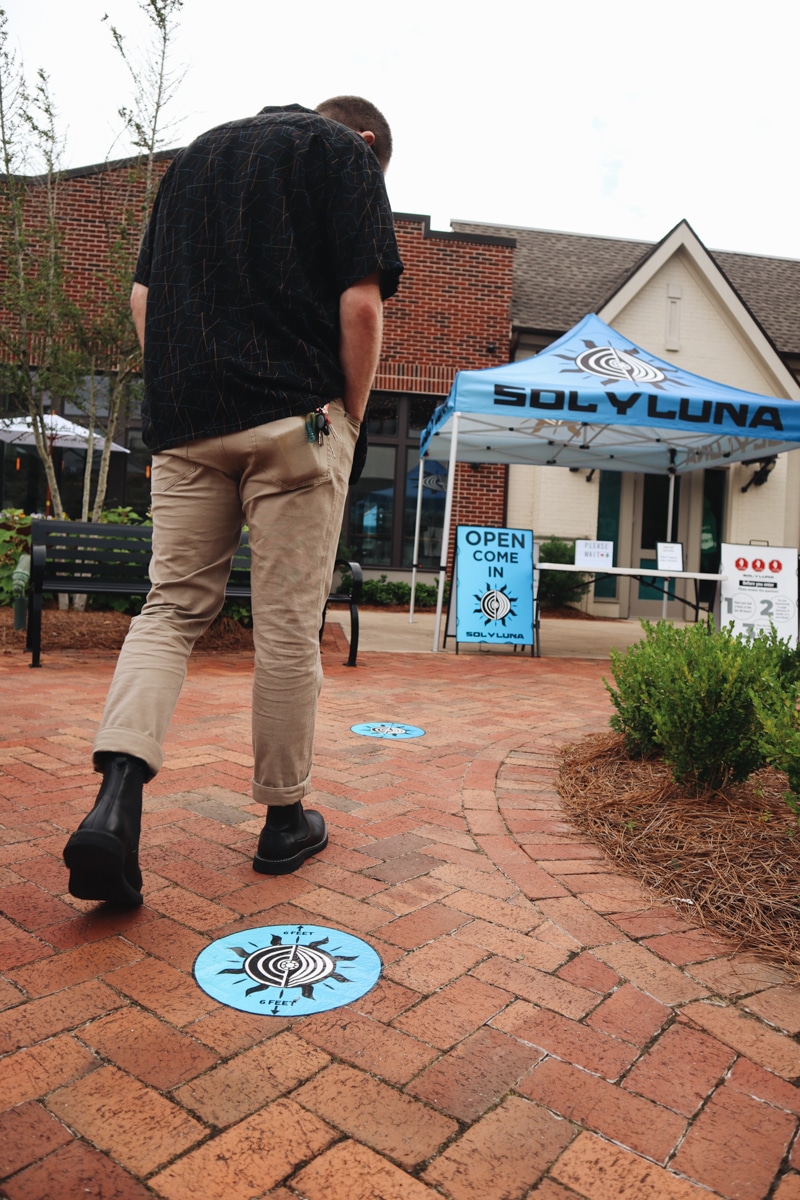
761 591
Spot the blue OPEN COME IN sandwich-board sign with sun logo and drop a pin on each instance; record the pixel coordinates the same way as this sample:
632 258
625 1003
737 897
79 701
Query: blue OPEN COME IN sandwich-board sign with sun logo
495 585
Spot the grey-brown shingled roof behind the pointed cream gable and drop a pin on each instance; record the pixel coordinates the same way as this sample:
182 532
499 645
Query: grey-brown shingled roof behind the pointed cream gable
558 278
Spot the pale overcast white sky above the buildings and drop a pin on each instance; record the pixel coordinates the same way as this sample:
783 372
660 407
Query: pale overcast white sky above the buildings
618 118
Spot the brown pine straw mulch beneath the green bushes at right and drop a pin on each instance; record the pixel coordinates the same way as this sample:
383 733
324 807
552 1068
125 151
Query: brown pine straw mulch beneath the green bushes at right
736 856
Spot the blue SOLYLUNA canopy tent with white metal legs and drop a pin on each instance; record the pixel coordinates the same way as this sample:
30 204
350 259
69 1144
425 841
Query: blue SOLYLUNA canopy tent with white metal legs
597 400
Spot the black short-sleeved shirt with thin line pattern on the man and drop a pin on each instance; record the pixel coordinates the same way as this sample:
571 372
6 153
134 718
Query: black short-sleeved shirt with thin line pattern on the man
257 230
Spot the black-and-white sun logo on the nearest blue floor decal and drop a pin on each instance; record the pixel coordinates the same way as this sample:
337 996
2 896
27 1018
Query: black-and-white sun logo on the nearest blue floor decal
287 967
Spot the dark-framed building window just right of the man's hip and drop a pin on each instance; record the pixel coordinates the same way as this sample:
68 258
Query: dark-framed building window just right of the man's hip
381 513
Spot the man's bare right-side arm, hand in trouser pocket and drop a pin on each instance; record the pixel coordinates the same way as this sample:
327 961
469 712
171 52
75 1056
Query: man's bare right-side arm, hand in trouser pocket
362 322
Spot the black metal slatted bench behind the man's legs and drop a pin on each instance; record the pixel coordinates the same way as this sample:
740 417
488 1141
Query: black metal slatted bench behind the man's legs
111 560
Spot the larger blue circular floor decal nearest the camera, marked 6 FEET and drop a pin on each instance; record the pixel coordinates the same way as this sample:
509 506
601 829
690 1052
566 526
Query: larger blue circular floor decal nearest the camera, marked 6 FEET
287 970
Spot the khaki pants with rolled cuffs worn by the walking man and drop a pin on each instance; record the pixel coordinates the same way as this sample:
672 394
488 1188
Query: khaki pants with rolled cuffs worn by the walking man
291 494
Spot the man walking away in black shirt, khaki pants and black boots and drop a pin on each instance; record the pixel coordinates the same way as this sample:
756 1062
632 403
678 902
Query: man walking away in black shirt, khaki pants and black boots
258 301
